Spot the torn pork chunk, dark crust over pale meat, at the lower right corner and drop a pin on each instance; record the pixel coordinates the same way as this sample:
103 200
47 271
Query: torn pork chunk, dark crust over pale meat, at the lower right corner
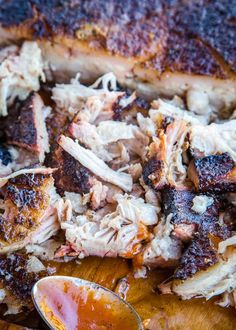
206 272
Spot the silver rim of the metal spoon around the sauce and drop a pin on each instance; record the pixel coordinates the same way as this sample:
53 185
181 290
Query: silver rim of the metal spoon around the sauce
37 296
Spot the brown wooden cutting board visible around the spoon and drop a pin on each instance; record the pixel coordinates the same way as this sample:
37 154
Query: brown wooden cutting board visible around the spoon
165 311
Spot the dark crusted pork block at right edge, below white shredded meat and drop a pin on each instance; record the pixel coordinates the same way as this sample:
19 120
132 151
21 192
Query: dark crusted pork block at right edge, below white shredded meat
213 173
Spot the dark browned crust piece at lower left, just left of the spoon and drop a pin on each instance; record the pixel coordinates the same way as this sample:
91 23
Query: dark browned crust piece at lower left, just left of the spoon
16 279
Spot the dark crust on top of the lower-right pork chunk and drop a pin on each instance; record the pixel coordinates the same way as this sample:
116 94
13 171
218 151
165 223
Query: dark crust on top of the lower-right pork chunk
200 255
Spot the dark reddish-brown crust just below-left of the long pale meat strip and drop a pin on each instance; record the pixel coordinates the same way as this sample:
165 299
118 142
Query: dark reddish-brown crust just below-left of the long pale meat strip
71 176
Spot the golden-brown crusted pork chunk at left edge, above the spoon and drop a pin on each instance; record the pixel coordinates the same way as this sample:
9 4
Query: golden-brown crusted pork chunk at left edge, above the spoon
28 214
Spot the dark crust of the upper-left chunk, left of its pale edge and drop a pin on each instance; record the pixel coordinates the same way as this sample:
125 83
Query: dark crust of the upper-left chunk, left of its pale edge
21 125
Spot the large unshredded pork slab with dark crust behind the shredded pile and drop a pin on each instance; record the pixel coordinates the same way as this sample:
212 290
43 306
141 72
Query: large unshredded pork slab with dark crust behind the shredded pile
155 47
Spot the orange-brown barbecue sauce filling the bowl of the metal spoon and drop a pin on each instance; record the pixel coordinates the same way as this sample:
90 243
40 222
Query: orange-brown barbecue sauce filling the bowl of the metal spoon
70 307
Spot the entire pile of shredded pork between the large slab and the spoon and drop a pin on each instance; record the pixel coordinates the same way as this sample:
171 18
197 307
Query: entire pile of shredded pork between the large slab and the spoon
120 178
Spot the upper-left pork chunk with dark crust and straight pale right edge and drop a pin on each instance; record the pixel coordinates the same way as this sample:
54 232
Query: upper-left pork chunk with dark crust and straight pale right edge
25 126
